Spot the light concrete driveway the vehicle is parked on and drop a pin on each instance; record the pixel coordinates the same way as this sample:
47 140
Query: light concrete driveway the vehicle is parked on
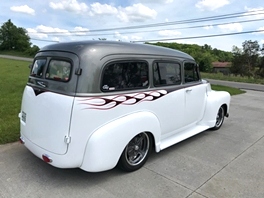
224 163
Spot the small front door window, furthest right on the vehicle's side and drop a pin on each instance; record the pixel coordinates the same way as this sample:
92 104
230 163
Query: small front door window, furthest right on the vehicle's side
191 73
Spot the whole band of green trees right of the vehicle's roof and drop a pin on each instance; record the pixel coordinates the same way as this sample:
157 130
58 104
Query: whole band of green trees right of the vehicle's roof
245 61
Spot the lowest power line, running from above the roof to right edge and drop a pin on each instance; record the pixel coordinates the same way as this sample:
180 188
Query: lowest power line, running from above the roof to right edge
203 36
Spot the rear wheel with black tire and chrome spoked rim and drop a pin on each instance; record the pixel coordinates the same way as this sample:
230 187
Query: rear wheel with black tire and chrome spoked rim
136 152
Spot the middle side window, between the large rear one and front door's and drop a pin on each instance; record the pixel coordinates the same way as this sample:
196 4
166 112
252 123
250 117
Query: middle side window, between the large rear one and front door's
166 73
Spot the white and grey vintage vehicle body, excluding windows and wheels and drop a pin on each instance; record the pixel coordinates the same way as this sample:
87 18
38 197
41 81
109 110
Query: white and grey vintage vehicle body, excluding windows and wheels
90 129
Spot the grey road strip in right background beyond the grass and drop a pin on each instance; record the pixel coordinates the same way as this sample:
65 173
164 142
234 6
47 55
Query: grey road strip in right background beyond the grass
249 86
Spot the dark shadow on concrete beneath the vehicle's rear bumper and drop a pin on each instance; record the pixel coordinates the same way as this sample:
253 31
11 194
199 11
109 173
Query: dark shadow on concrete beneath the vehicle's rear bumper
34 169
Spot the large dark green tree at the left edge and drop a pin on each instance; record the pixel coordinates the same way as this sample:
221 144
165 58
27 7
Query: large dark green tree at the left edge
13 38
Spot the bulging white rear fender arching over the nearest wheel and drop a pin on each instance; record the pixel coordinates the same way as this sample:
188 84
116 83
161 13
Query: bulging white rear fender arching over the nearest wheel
107 143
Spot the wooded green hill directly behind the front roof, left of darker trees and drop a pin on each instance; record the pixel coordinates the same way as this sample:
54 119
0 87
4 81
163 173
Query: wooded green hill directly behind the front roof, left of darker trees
204 55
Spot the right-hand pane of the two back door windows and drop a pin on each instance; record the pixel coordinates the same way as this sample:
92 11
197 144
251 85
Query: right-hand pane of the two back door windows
58 70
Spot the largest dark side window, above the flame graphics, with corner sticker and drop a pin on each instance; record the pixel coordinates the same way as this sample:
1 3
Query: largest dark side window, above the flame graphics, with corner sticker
125 75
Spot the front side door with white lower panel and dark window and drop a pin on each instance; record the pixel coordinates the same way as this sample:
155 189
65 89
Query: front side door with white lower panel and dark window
195 94
